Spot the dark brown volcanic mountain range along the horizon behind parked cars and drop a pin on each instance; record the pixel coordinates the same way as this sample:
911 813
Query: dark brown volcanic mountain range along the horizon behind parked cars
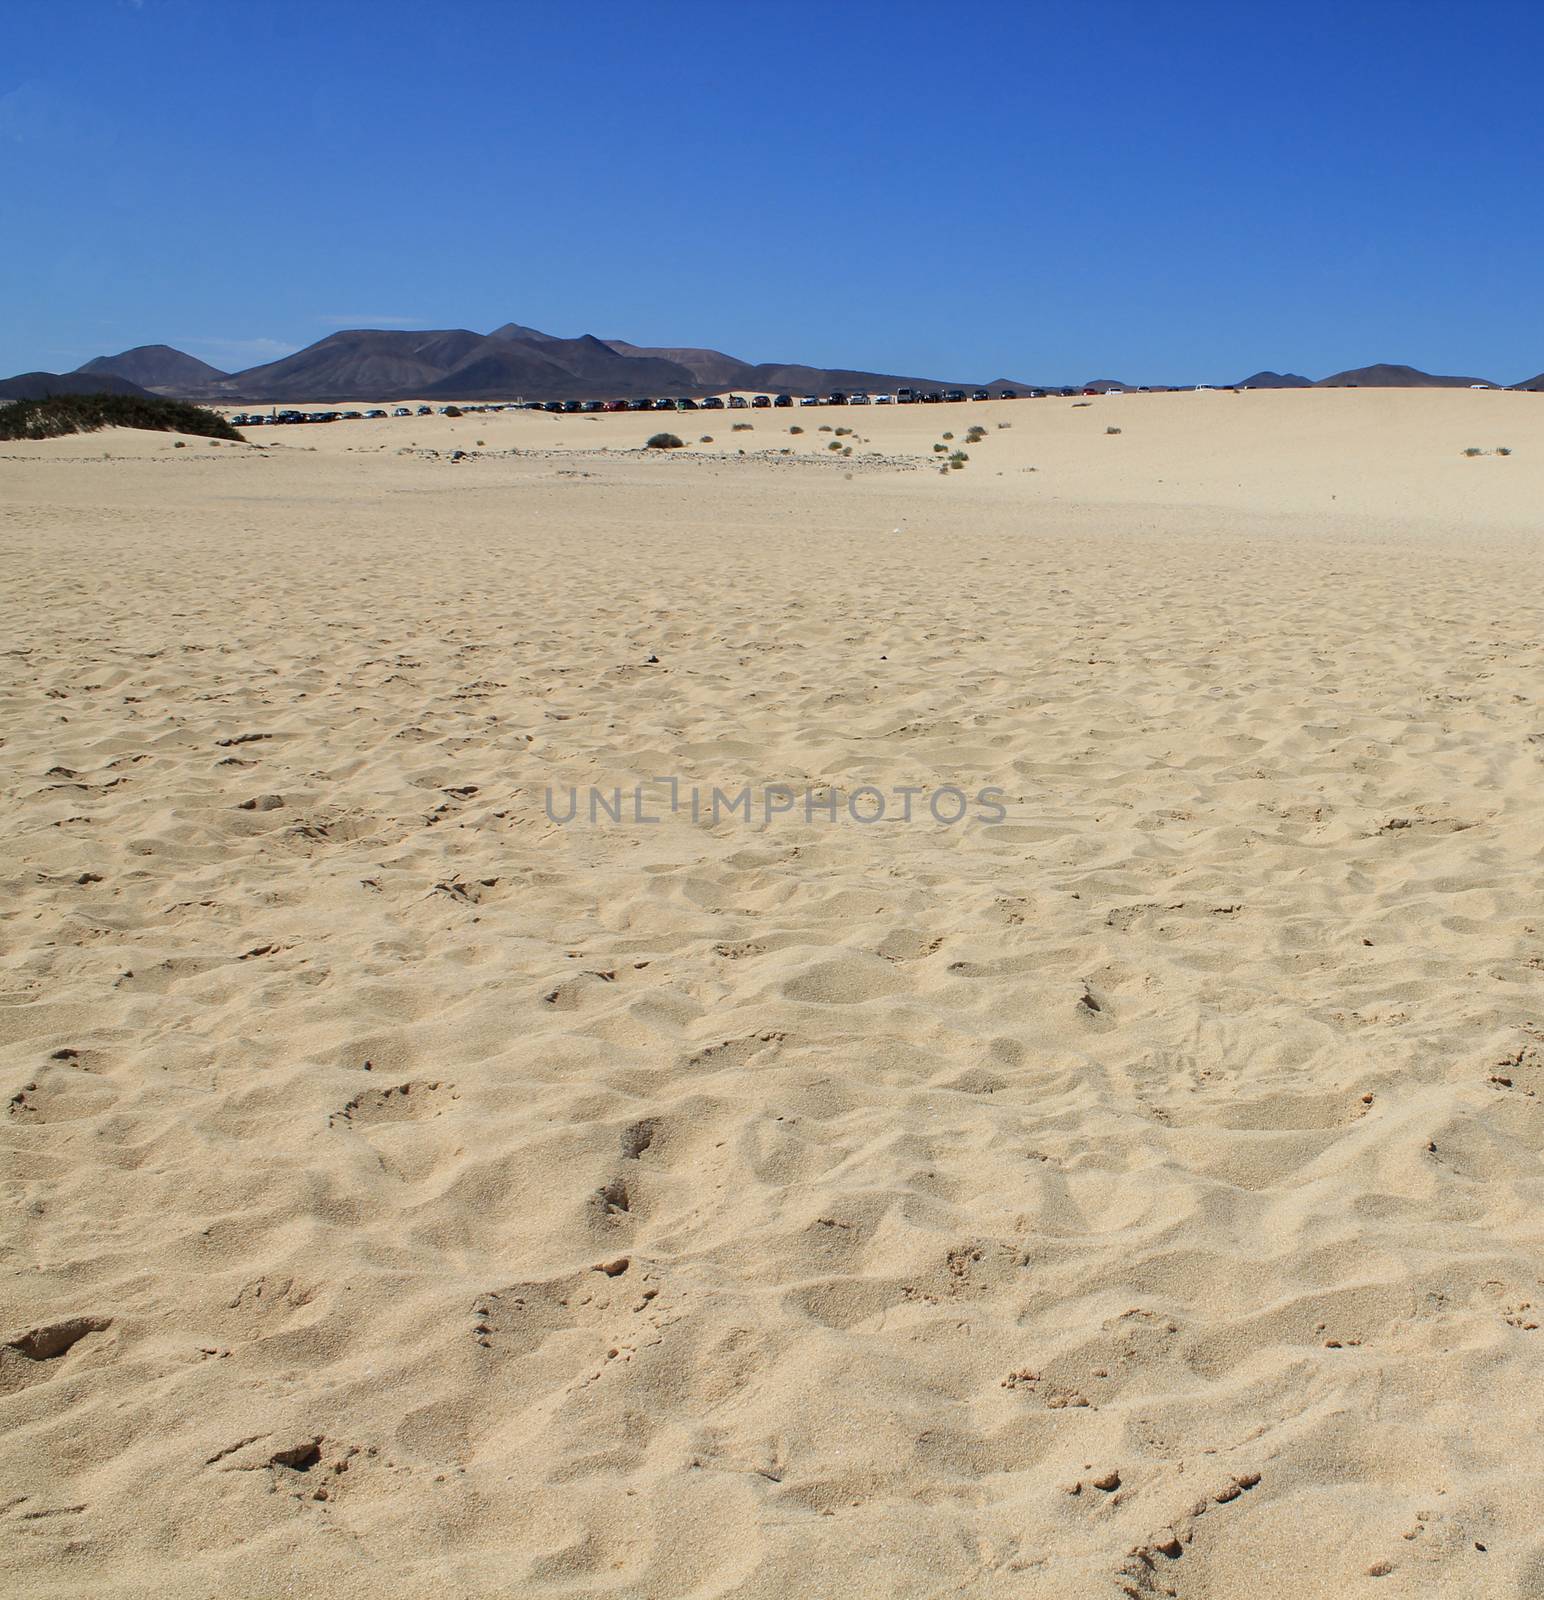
519 362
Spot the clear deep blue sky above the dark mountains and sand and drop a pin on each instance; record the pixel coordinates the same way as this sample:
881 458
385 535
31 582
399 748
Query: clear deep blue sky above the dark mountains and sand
1153 191
